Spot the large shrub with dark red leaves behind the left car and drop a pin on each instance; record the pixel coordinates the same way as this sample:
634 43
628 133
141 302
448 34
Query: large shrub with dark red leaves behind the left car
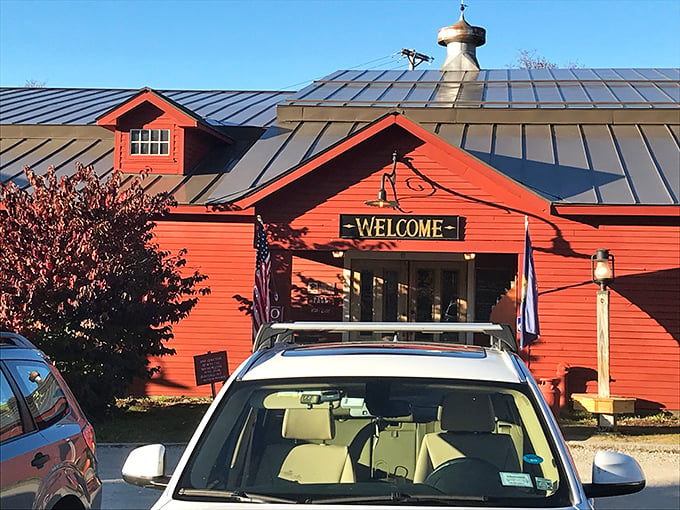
82 276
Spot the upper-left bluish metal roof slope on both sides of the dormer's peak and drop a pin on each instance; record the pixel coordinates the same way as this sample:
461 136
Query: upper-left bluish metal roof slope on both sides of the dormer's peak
83 106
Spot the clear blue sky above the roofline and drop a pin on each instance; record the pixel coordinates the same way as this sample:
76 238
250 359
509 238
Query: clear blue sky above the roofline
285 44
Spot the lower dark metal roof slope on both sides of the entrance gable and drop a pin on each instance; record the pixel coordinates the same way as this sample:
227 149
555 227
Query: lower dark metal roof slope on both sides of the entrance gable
571 163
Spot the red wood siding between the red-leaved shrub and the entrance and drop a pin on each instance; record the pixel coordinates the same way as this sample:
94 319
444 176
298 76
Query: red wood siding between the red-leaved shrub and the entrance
223 251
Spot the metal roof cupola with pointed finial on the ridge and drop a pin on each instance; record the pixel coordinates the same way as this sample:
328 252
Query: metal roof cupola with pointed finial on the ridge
461 41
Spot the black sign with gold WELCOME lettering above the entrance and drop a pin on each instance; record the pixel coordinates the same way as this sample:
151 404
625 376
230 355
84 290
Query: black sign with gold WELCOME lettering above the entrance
369 226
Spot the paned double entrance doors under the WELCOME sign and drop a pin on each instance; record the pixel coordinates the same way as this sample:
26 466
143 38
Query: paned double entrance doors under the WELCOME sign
414 291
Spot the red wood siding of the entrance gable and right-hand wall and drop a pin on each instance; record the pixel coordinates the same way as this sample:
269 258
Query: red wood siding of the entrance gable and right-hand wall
645 329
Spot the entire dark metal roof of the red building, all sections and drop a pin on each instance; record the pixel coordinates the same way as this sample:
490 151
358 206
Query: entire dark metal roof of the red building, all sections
588 136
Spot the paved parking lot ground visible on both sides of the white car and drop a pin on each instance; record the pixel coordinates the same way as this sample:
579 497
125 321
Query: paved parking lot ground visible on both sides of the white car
661 466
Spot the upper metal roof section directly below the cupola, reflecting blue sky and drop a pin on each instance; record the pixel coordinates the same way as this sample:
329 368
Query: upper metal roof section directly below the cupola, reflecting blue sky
499 88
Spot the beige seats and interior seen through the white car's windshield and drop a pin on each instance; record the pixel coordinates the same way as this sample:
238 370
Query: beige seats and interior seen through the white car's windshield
325 444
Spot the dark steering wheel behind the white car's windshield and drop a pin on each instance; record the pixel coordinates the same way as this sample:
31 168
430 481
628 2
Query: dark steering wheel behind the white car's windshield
466 476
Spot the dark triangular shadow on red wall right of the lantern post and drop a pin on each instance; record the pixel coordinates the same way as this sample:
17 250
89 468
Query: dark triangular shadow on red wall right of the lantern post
657 293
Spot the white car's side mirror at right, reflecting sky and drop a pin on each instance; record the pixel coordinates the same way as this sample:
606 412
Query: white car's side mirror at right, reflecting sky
614 474
